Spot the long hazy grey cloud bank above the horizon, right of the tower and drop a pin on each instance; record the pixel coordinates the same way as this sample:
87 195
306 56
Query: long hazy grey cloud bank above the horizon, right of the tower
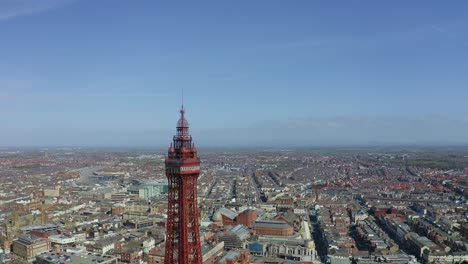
345 130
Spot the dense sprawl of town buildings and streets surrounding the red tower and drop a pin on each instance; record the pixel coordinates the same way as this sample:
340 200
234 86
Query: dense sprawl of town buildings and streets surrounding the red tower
78 205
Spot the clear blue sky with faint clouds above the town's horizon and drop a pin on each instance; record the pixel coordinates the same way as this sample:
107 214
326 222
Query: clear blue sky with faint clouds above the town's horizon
266 73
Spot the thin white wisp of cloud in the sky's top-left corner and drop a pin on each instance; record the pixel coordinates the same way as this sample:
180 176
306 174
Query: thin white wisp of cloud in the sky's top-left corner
10 9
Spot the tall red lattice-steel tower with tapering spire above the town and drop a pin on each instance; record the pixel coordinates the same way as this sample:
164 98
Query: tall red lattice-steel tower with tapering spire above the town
182 171
